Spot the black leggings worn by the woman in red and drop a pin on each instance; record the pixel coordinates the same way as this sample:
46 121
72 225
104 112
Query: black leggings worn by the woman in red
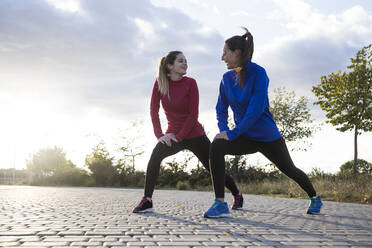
200 146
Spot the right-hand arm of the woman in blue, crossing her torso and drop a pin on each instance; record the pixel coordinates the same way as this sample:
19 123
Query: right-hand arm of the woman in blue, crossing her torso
255 108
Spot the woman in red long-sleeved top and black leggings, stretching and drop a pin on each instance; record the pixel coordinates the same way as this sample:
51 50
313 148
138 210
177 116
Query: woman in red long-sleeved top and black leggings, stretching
179 97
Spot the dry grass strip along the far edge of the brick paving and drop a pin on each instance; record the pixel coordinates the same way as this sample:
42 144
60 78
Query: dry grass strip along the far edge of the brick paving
346 188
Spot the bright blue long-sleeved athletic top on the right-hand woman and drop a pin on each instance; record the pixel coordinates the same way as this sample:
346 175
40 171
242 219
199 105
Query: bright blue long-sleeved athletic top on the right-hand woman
249 104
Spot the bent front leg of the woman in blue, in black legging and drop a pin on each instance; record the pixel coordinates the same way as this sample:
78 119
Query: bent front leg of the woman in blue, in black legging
219 149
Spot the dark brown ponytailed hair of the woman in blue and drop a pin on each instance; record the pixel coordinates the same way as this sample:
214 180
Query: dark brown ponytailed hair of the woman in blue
245 44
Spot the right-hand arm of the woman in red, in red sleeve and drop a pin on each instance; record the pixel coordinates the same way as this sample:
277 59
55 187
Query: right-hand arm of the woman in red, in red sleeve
193 112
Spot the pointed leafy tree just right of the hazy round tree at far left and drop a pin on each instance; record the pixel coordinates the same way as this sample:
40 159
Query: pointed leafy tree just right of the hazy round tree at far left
99 163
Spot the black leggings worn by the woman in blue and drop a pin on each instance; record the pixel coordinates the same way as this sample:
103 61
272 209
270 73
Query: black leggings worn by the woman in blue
276 151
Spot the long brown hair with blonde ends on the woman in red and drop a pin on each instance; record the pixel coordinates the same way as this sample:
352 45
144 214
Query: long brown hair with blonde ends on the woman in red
163 72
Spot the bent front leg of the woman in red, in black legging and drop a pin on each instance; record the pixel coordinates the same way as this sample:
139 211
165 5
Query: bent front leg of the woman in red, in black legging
160 152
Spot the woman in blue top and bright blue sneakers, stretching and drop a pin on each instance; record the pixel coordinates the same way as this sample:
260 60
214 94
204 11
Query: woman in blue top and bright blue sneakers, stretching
244 88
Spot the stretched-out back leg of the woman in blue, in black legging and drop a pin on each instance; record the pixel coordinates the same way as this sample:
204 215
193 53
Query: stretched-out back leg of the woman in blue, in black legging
277 152
